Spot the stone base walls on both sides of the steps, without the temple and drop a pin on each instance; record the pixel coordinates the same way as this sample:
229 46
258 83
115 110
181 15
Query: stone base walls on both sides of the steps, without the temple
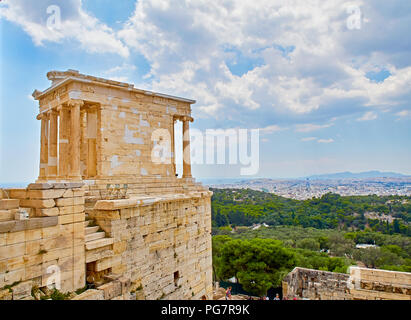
155 247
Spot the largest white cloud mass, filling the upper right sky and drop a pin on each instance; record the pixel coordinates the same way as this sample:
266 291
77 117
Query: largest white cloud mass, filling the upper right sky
304 65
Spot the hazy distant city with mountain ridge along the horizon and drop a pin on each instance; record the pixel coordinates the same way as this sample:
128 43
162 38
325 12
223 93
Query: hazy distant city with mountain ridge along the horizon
345 184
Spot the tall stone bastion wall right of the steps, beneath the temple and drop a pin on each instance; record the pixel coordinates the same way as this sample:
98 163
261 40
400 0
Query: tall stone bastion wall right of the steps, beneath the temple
162 244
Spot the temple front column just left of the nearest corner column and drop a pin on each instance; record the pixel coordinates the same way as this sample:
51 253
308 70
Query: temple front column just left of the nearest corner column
64 134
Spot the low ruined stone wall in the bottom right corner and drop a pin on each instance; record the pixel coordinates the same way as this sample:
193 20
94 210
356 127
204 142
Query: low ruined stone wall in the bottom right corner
359 284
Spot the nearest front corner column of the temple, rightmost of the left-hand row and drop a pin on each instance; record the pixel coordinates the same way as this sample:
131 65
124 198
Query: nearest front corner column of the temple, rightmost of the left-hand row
75 139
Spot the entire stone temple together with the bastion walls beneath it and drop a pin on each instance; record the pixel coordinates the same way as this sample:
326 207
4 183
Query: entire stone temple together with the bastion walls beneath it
107 209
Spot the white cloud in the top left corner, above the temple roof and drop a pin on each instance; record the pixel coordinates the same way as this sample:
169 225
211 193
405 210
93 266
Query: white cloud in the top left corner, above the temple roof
51 21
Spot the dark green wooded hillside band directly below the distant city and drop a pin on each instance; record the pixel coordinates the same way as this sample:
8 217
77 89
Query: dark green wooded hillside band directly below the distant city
244 207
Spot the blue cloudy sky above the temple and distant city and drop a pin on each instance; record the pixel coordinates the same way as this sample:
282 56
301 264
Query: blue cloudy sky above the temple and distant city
327 83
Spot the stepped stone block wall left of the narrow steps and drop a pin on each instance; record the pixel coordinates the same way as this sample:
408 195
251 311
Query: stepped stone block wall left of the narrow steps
50 240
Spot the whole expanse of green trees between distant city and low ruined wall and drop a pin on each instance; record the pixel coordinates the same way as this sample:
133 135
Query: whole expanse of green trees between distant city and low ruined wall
320 233
